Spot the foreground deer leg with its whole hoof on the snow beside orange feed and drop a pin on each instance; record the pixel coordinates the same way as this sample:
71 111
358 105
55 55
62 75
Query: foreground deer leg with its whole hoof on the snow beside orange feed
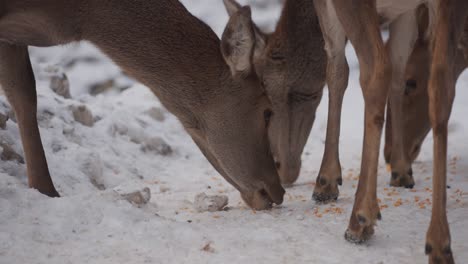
360 20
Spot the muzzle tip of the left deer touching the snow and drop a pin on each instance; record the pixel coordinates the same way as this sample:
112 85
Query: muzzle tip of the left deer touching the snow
264 198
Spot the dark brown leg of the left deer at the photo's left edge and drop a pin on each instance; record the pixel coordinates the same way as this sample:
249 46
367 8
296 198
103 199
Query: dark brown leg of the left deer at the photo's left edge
17 80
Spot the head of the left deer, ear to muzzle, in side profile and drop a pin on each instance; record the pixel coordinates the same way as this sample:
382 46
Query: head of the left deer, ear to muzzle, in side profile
232 131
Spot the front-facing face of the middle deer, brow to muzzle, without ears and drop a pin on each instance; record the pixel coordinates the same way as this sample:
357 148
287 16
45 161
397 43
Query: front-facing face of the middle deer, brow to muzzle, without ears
295 96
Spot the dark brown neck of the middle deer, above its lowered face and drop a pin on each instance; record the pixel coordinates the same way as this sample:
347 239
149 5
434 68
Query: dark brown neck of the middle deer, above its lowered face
298 43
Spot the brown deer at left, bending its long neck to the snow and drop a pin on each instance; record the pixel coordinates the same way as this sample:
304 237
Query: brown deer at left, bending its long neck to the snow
211 86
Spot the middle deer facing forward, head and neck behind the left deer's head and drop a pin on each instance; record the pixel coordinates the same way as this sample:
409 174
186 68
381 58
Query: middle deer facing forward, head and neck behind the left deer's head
292 65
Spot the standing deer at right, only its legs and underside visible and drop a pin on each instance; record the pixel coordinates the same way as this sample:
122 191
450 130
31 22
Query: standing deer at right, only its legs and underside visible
381 75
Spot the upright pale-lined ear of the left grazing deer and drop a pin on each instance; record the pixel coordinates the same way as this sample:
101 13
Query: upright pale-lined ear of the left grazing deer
238 42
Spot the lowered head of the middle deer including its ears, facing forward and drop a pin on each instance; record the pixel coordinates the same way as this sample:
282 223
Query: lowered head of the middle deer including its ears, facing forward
294 85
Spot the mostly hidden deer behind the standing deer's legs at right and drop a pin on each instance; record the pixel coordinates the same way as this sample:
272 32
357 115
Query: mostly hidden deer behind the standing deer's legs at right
416 99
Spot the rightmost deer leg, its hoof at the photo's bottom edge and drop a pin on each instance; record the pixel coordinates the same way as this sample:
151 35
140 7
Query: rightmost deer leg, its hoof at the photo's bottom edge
450 19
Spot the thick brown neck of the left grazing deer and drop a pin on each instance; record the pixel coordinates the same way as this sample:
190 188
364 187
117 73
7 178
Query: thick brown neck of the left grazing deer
161 45
